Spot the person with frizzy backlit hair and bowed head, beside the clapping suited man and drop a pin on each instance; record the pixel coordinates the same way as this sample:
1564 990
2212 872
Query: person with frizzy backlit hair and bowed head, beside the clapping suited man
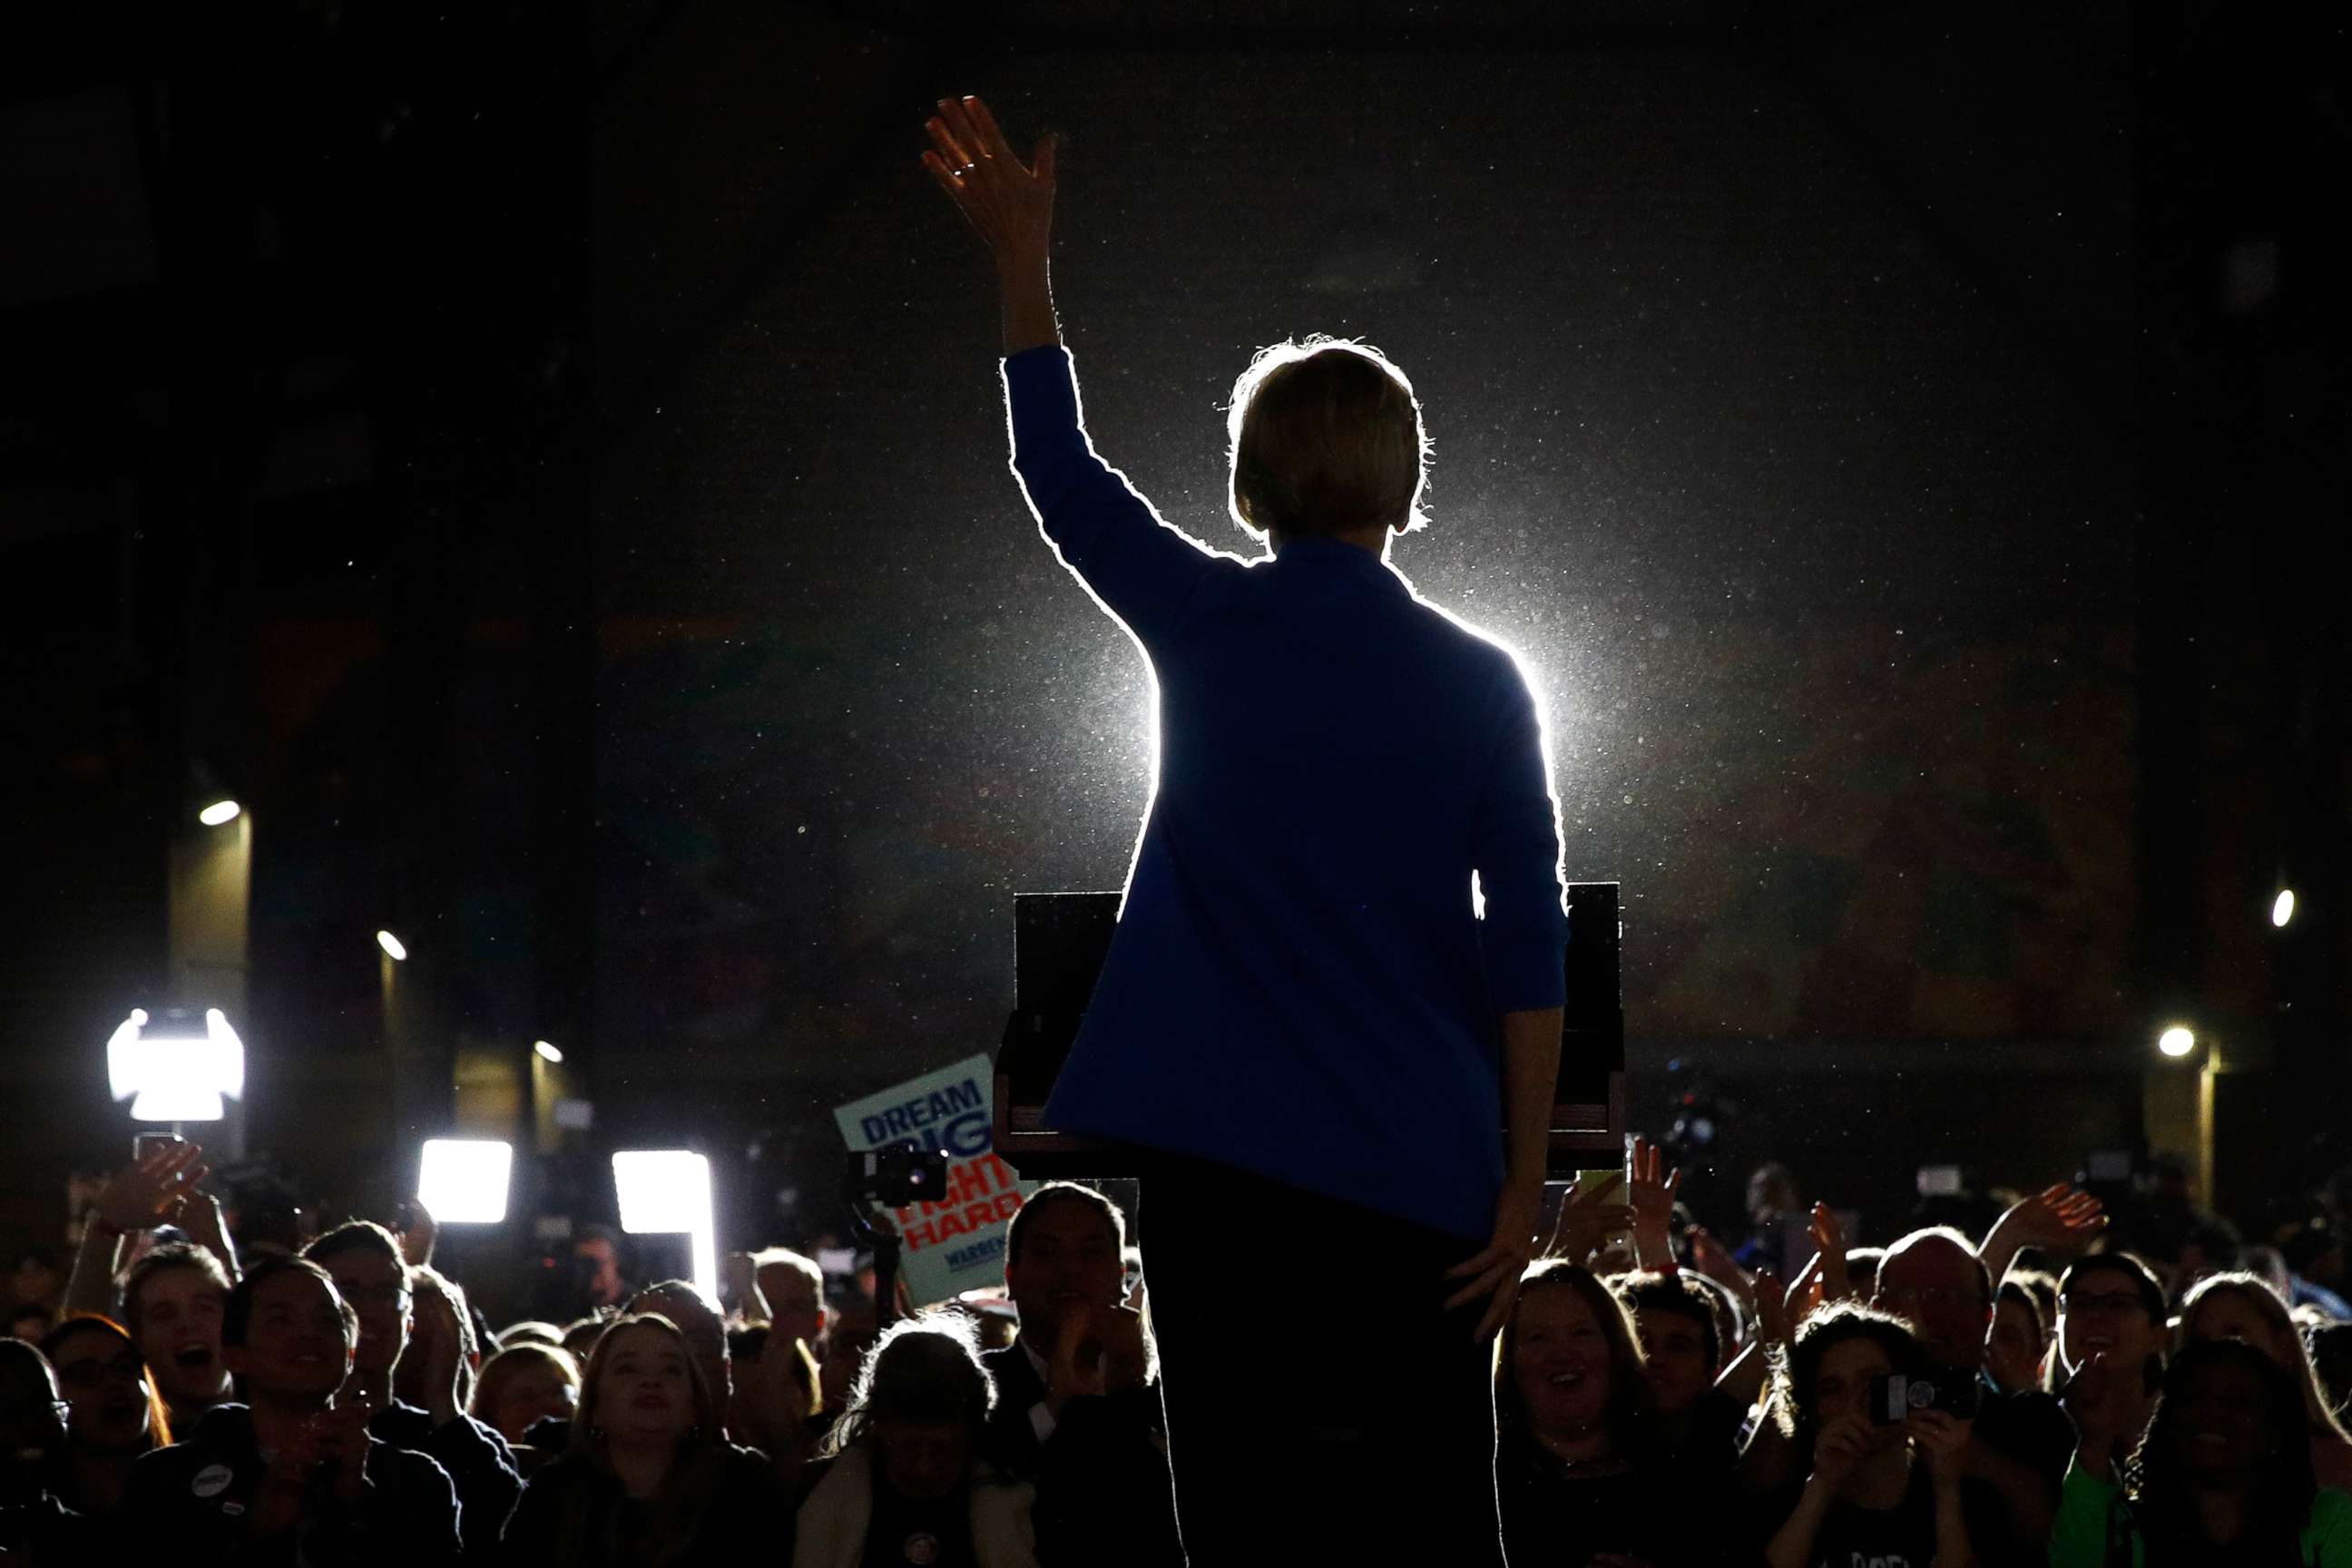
902 1475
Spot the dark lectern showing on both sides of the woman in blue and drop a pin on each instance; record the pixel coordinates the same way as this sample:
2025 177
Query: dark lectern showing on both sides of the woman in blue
1060 946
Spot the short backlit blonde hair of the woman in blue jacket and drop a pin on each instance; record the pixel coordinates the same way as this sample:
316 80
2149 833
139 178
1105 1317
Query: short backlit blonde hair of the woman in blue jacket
1325 438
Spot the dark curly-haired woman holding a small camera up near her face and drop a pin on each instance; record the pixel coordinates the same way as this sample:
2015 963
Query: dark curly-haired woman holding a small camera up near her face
1876 1489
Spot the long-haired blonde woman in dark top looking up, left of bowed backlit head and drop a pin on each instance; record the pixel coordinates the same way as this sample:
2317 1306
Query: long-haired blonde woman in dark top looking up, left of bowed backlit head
648 1477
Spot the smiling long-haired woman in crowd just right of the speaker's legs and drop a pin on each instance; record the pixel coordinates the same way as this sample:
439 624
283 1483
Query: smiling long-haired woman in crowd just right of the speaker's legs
1575 1466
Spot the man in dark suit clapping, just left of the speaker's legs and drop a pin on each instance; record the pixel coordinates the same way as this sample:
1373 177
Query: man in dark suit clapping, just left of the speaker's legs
1078 1407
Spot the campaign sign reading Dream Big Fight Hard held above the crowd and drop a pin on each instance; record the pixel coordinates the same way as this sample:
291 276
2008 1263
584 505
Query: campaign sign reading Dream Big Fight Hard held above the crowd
956 1242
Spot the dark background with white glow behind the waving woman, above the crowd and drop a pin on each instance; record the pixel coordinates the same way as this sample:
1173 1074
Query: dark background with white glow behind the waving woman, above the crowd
552 469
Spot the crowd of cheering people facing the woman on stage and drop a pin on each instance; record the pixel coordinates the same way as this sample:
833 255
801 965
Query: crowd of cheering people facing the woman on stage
2078 1386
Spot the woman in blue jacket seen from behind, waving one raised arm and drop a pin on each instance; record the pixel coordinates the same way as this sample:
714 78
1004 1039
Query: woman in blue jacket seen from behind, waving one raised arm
1337 974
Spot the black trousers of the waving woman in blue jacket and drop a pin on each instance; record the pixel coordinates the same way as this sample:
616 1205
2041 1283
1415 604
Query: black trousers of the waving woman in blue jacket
1321 1402
